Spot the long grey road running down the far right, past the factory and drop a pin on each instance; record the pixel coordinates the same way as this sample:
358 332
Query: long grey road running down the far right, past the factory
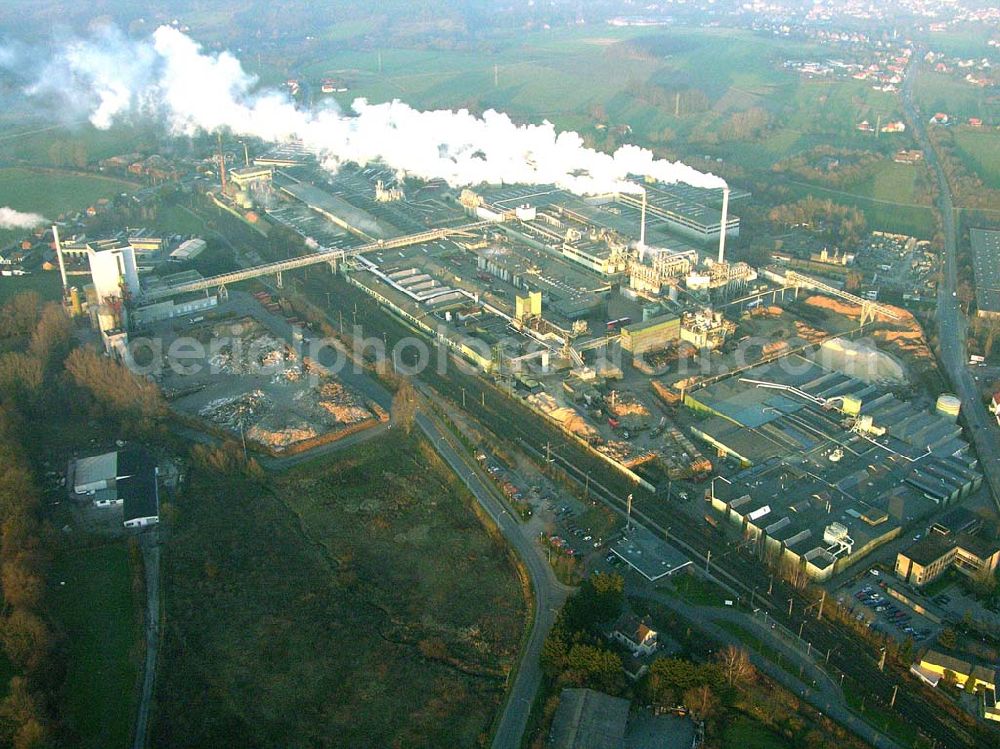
952 324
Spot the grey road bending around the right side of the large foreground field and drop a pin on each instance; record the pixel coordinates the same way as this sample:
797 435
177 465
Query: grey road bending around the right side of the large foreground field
549 592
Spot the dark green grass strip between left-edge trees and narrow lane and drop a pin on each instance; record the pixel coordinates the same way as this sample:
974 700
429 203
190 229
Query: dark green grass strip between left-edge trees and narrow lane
97 607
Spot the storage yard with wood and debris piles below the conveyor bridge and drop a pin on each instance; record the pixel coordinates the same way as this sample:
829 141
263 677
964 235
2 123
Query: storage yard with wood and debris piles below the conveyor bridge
256 384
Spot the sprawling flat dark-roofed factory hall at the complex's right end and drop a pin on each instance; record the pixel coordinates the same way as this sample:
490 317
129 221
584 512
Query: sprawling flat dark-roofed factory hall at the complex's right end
831 467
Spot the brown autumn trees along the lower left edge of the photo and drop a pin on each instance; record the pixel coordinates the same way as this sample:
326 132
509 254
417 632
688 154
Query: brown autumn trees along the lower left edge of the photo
45 379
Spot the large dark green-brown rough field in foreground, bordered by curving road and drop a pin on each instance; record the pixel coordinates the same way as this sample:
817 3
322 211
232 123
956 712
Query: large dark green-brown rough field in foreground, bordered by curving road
354 601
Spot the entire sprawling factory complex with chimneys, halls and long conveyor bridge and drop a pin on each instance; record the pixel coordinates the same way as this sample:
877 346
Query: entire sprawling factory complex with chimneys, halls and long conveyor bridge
586 309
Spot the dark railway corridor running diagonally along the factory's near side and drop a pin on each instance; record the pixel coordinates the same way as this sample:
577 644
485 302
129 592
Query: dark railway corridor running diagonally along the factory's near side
849 655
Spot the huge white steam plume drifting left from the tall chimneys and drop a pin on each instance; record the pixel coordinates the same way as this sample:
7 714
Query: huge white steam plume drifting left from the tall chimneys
169 76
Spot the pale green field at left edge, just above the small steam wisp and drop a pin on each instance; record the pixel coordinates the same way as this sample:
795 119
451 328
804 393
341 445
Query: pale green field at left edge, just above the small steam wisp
52 193
